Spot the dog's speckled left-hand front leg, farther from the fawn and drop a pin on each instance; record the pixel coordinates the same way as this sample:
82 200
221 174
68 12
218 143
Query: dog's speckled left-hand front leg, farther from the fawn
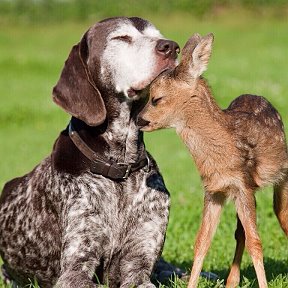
82 244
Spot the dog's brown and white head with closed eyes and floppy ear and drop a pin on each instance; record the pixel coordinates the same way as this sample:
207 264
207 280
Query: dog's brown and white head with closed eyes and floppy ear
119 56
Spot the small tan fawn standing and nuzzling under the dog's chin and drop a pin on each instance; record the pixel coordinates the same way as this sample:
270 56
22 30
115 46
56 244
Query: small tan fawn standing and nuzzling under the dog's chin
237 150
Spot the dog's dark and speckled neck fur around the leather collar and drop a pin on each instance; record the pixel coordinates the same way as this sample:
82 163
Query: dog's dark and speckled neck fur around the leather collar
118 139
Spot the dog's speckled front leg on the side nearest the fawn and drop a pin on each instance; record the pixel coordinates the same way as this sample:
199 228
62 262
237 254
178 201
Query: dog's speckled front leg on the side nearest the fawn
146 232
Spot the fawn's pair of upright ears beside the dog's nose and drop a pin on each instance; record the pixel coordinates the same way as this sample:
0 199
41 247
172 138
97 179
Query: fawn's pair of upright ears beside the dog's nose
195 56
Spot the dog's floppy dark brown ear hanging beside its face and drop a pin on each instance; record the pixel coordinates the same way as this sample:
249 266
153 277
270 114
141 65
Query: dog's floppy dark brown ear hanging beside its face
76 92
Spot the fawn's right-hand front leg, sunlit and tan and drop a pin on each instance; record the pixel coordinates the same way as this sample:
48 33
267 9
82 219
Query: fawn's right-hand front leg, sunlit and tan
246 209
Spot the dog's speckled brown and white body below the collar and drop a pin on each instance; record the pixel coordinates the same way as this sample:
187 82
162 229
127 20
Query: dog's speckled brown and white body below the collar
59 224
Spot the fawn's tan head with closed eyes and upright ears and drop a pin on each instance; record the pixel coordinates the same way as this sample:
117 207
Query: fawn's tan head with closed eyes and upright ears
172 90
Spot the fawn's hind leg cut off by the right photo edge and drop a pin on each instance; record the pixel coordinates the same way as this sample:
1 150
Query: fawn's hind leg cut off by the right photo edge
281 204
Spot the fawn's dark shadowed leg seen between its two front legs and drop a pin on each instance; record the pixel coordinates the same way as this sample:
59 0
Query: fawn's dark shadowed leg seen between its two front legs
234 275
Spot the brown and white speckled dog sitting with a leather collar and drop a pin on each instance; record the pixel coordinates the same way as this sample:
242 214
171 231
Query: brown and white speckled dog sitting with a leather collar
66 224
